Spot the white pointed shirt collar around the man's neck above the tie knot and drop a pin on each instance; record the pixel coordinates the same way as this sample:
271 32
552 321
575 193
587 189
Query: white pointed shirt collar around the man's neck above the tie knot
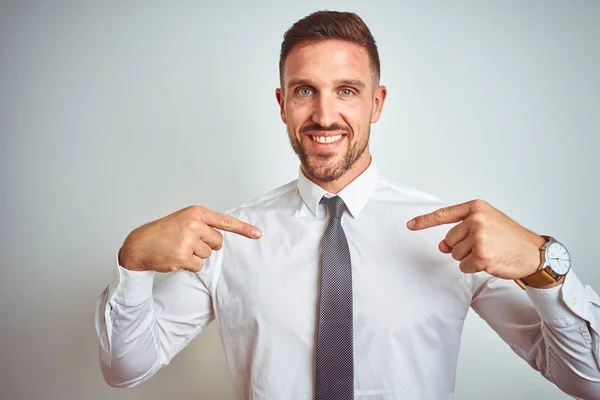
355 194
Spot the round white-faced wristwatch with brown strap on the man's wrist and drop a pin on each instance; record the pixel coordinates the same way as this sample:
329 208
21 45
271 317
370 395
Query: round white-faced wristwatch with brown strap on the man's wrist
556 262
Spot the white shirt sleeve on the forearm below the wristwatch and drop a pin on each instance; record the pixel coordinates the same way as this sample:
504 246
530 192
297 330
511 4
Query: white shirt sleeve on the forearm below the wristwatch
555 330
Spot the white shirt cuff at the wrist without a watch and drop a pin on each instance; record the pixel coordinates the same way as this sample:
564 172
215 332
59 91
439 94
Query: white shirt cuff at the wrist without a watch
130 288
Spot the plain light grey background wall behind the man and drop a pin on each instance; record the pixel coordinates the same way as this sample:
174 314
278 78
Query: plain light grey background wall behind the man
114 114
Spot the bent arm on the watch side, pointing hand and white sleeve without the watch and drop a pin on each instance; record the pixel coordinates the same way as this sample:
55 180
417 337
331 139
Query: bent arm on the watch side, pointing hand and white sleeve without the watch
556 328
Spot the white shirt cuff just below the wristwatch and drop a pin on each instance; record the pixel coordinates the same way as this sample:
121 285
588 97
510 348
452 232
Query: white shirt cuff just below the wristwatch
562 305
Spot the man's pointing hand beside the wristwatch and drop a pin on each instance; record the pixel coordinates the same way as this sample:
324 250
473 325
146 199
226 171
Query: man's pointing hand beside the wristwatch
485 240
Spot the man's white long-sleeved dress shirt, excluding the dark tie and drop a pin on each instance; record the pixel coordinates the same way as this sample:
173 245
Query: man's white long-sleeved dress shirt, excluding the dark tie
410 303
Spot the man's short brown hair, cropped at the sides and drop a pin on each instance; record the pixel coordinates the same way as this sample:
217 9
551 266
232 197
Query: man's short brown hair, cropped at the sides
323 25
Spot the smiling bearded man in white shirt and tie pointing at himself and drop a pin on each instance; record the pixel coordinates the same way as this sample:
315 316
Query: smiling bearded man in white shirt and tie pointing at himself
319 288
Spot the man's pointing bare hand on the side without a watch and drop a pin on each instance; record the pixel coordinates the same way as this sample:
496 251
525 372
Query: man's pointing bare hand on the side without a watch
180 240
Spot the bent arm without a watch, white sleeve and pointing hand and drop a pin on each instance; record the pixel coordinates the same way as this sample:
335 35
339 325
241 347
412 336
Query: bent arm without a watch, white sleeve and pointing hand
141 330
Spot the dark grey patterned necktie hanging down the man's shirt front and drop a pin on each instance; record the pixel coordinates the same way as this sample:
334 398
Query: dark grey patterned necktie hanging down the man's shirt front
334 379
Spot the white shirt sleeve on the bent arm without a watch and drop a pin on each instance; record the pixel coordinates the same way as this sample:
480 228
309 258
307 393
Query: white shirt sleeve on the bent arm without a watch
140 328
